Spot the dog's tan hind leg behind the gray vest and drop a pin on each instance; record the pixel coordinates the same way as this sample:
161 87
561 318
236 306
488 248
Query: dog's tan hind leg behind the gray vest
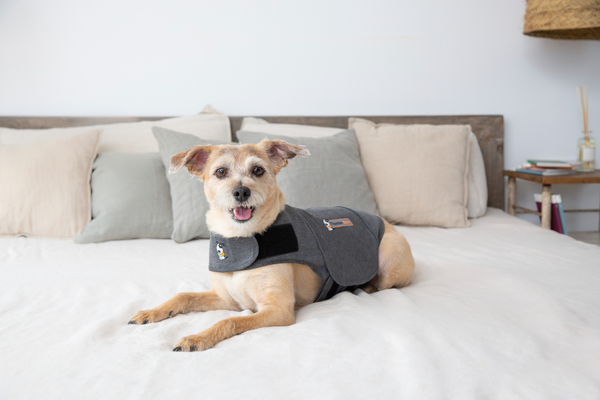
396 263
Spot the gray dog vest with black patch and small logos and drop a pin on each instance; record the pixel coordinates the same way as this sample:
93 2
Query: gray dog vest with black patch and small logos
341 245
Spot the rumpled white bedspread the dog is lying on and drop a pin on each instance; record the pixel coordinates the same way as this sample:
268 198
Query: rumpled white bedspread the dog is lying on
499 310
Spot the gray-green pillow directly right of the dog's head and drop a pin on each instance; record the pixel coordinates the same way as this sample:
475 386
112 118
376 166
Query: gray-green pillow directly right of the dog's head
331 176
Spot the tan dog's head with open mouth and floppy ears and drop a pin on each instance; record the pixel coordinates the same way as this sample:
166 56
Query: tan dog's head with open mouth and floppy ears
240 183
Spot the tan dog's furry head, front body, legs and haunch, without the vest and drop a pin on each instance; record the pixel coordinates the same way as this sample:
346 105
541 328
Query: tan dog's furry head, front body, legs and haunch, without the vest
241 187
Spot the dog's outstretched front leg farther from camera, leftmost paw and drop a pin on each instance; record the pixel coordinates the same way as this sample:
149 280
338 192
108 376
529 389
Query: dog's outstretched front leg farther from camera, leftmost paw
183 303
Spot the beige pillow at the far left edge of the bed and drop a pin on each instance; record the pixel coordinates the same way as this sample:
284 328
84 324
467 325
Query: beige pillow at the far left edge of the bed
45 187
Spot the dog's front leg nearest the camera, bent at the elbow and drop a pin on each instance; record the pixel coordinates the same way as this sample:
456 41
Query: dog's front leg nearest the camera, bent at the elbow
274 296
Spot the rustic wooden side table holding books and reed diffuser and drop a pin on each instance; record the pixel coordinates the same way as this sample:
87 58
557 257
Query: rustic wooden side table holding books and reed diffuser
547 182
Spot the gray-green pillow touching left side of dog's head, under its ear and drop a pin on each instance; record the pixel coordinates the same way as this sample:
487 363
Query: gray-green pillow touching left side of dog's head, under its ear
188 202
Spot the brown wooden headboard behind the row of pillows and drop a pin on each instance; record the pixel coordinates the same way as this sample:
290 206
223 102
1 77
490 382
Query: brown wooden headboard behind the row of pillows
489 130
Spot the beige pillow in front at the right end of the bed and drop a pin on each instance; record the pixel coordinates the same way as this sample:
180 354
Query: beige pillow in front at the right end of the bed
418 173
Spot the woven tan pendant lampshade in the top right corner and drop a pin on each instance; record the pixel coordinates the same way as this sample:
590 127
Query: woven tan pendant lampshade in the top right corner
563 19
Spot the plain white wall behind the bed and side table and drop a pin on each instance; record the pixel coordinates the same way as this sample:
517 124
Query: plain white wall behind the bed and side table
143 57
